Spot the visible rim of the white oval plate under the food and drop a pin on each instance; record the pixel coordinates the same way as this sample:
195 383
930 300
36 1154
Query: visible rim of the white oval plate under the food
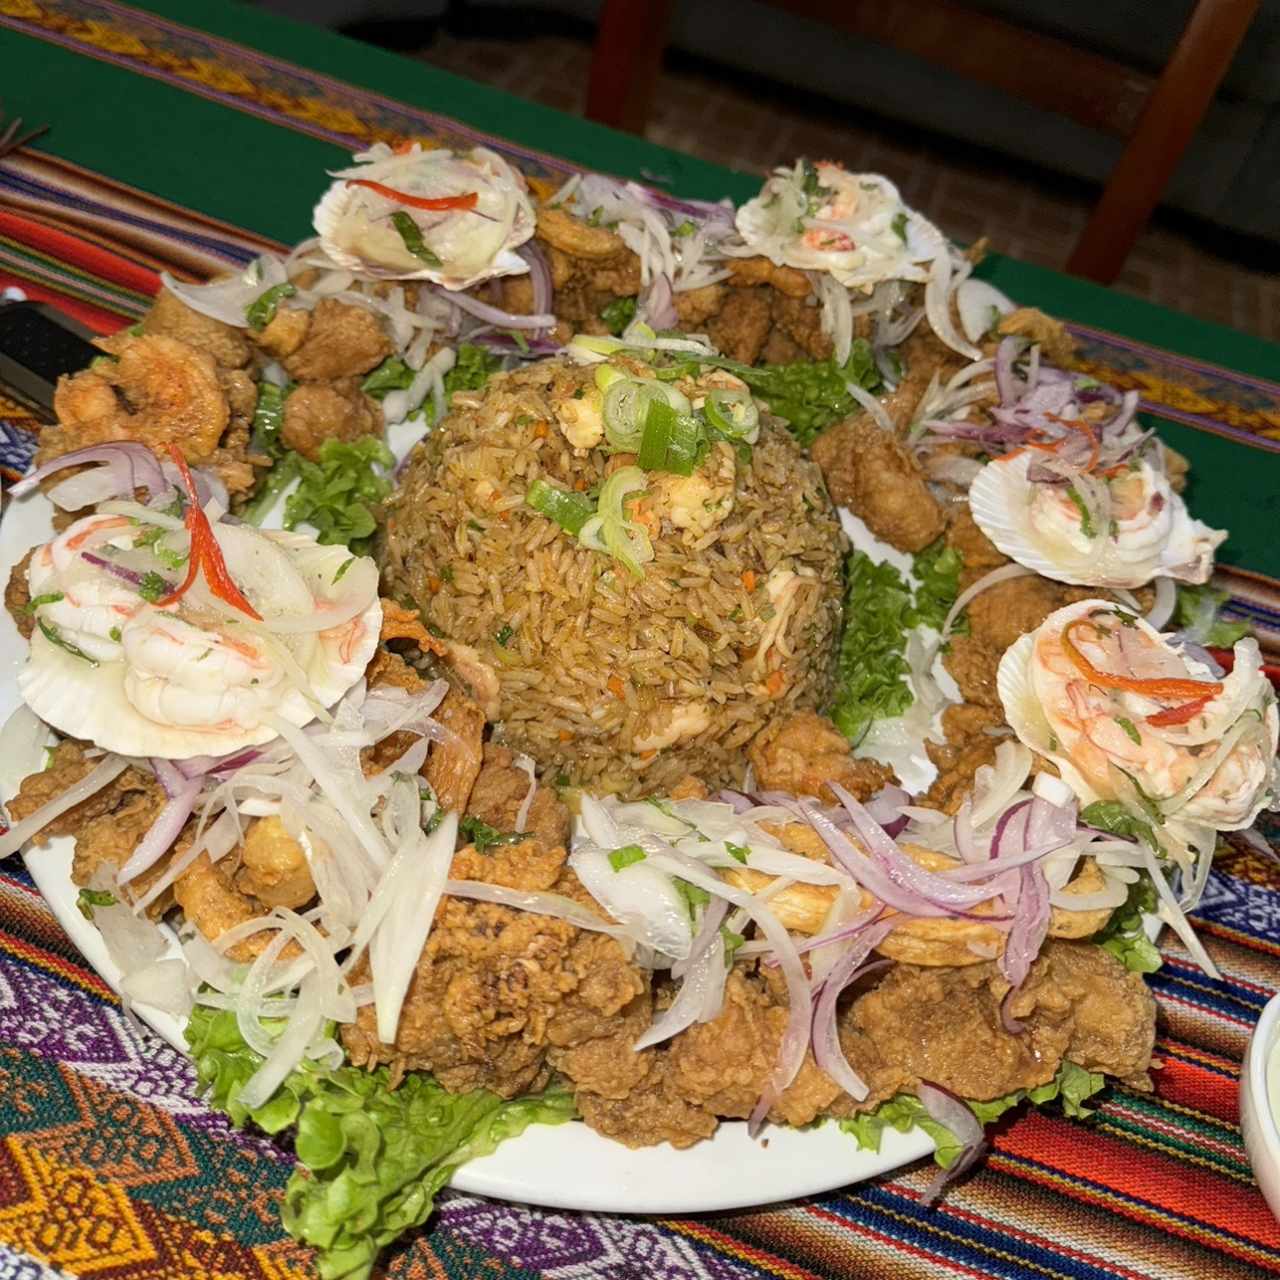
564 1167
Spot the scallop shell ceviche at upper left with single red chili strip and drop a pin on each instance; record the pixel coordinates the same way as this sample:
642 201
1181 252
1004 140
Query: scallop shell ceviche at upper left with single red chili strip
414 214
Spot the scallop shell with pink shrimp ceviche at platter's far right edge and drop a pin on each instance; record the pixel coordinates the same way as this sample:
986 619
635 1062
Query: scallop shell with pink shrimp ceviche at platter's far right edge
1130 717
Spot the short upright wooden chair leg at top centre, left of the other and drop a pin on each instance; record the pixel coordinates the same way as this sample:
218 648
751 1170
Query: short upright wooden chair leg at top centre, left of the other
627 61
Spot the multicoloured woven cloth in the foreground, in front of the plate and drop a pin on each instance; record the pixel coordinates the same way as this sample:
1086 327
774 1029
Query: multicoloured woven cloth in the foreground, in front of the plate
111 1168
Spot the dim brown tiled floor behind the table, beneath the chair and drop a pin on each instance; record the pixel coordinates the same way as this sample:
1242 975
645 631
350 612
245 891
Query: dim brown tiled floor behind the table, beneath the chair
1030 217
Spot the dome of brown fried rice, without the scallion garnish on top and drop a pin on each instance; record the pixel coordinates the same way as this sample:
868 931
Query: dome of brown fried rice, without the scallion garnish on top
609 680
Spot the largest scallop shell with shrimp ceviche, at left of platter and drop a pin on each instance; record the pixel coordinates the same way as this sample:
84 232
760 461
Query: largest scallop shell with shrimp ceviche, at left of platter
147 646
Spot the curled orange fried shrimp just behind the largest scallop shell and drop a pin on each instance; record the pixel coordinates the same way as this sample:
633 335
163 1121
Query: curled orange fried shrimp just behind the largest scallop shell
157 391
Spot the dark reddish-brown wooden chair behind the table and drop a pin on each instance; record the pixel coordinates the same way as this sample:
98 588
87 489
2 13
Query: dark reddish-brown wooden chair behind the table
1158 116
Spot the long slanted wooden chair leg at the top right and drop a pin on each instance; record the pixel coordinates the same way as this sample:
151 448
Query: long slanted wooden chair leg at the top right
1167 126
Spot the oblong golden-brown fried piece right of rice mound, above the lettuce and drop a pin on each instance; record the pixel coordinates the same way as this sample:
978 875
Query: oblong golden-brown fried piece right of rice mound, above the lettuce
877 478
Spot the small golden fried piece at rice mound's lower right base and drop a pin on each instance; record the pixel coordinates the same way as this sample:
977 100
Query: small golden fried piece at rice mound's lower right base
804 752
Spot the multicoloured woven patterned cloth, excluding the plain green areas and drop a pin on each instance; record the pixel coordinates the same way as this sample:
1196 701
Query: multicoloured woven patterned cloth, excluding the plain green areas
112 1168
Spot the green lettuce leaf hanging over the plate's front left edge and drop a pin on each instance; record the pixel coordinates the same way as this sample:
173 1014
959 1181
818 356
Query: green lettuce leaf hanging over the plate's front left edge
371 1159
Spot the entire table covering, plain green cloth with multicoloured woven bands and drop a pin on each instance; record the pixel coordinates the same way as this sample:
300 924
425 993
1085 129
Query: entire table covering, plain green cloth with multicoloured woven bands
111 1168
